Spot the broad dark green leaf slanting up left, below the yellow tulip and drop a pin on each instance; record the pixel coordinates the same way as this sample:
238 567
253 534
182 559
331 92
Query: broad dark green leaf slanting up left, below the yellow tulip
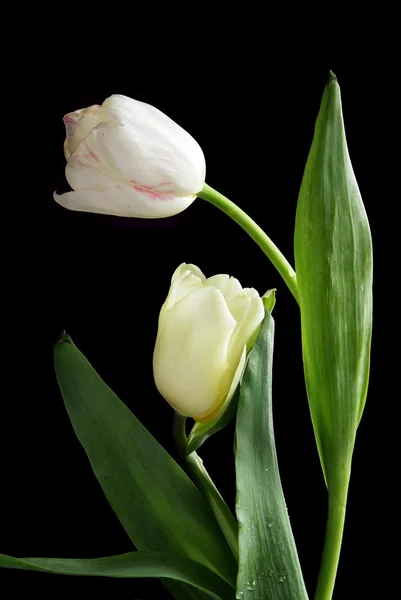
156 502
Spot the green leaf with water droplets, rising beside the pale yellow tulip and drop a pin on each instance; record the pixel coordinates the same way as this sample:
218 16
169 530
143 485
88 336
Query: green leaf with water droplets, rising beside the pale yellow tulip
268 562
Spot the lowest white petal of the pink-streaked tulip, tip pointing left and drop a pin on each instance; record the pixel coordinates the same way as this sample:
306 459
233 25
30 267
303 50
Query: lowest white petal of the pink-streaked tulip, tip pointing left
122 201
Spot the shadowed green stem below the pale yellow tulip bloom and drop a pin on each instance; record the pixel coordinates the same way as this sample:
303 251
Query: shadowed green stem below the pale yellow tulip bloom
204 483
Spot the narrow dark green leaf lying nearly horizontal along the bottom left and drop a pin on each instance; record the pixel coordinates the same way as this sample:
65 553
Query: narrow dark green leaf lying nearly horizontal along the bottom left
132 564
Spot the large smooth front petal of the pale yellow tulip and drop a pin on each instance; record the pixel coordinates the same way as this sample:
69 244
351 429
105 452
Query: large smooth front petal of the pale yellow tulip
190 356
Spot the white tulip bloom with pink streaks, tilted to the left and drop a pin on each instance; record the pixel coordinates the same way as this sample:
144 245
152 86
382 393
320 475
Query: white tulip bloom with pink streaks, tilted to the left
127 158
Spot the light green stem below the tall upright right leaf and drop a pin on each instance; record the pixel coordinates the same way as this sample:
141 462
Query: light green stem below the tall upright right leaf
332 544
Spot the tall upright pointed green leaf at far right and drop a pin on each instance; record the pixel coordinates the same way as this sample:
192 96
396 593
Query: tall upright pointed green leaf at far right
333 259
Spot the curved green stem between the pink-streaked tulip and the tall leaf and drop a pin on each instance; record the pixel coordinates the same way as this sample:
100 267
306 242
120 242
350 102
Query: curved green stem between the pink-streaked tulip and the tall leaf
256 233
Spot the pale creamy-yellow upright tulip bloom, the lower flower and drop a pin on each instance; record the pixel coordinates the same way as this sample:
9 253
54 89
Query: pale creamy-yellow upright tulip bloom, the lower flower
206 327
